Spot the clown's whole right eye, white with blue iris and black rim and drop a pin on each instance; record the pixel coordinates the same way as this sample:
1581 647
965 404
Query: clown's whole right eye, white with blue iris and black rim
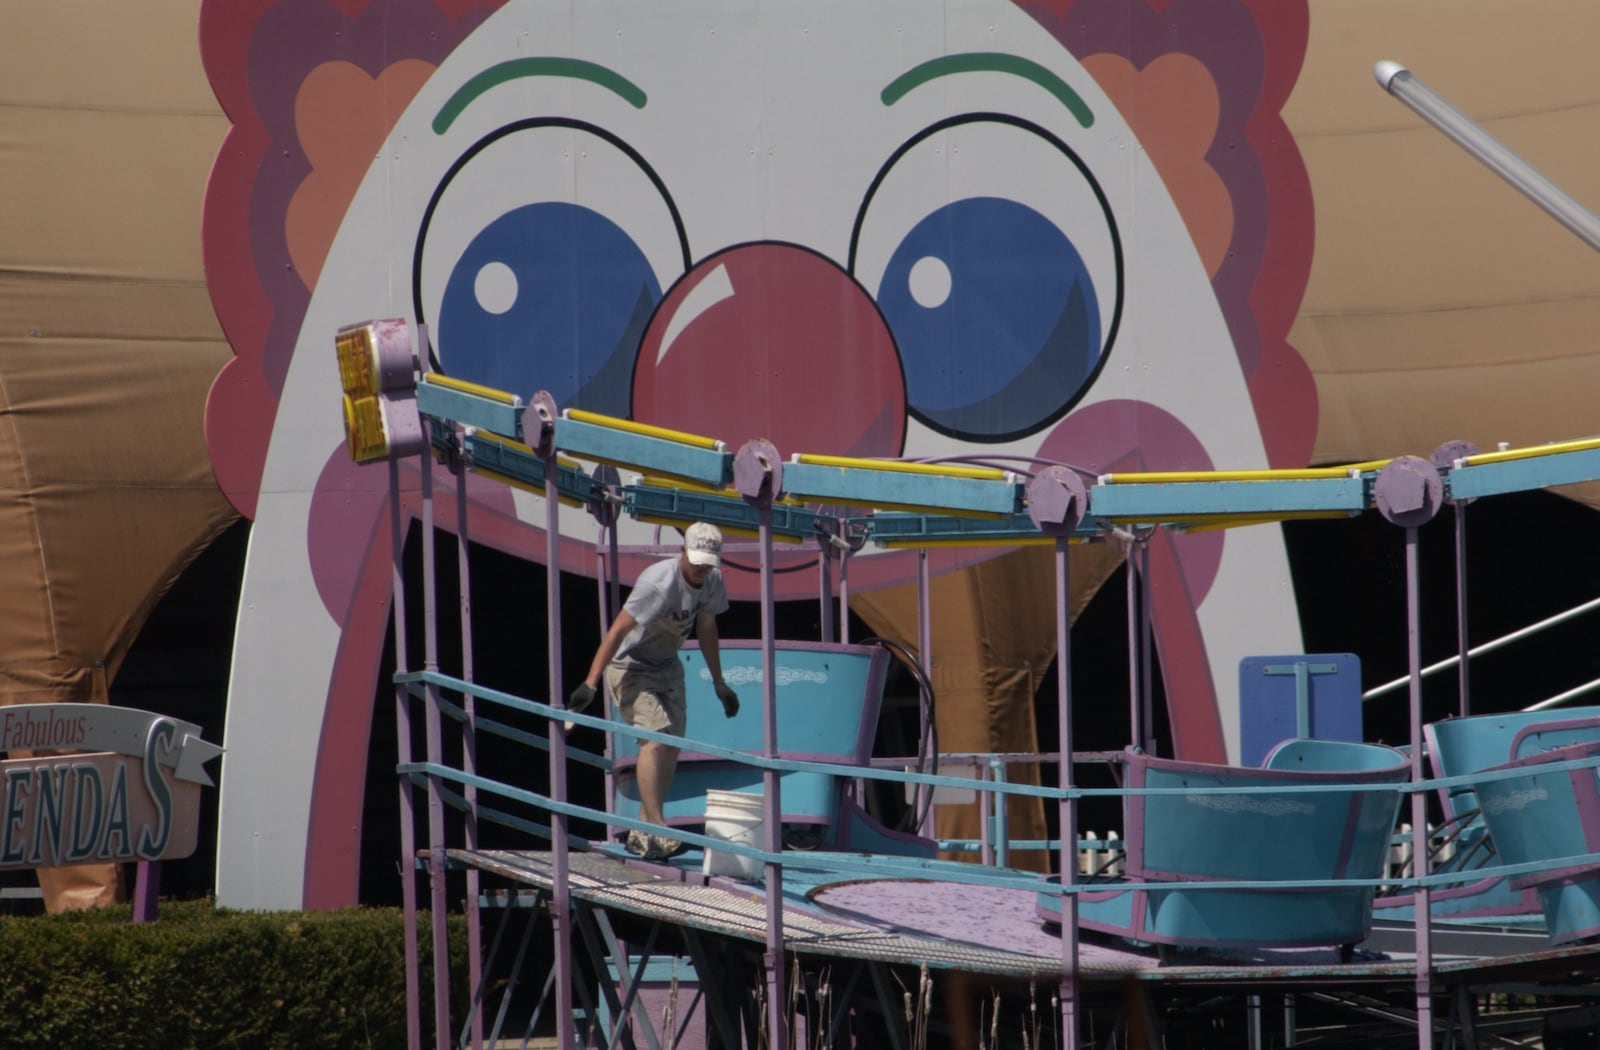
996 262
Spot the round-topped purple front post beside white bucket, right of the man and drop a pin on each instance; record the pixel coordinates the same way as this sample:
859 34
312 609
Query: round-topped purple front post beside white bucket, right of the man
758 475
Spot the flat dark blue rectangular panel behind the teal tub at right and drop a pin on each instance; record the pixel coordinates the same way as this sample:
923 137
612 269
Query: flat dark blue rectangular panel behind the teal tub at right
1270 700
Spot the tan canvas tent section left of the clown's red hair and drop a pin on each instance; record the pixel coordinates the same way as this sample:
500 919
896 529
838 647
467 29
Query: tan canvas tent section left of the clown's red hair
108 345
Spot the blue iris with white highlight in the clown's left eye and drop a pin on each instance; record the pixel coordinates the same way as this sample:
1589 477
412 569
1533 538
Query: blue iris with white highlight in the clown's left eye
550 297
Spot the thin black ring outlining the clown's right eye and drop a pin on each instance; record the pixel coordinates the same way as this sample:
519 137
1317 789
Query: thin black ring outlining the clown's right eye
1119 271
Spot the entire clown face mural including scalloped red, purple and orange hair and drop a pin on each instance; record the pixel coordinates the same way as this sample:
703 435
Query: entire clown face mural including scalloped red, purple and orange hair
895 230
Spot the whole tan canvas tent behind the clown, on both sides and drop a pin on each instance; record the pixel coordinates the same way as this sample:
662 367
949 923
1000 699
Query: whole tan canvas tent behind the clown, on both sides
1439 307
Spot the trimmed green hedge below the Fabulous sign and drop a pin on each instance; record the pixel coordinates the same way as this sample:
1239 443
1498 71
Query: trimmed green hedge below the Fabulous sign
207 979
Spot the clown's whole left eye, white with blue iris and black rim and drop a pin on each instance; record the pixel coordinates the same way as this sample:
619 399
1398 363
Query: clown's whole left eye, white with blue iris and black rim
542 258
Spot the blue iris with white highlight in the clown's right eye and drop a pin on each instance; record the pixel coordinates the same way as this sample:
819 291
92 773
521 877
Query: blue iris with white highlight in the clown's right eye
994 315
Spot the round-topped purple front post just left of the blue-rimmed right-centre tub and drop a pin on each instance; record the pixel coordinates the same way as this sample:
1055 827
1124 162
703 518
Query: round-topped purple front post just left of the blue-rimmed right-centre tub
1057 503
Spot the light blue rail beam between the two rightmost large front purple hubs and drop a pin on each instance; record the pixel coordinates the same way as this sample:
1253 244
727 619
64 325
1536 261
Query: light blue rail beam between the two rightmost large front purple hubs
1186 500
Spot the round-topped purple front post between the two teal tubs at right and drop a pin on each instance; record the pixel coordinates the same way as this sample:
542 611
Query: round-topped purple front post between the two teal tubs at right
1409 492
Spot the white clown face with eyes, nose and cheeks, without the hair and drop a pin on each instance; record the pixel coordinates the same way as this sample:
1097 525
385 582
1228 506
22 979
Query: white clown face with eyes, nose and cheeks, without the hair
892 230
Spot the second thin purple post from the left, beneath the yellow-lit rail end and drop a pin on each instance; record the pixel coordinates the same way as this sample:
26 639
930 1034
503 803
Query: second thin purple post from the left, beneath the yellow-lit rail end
436 798
